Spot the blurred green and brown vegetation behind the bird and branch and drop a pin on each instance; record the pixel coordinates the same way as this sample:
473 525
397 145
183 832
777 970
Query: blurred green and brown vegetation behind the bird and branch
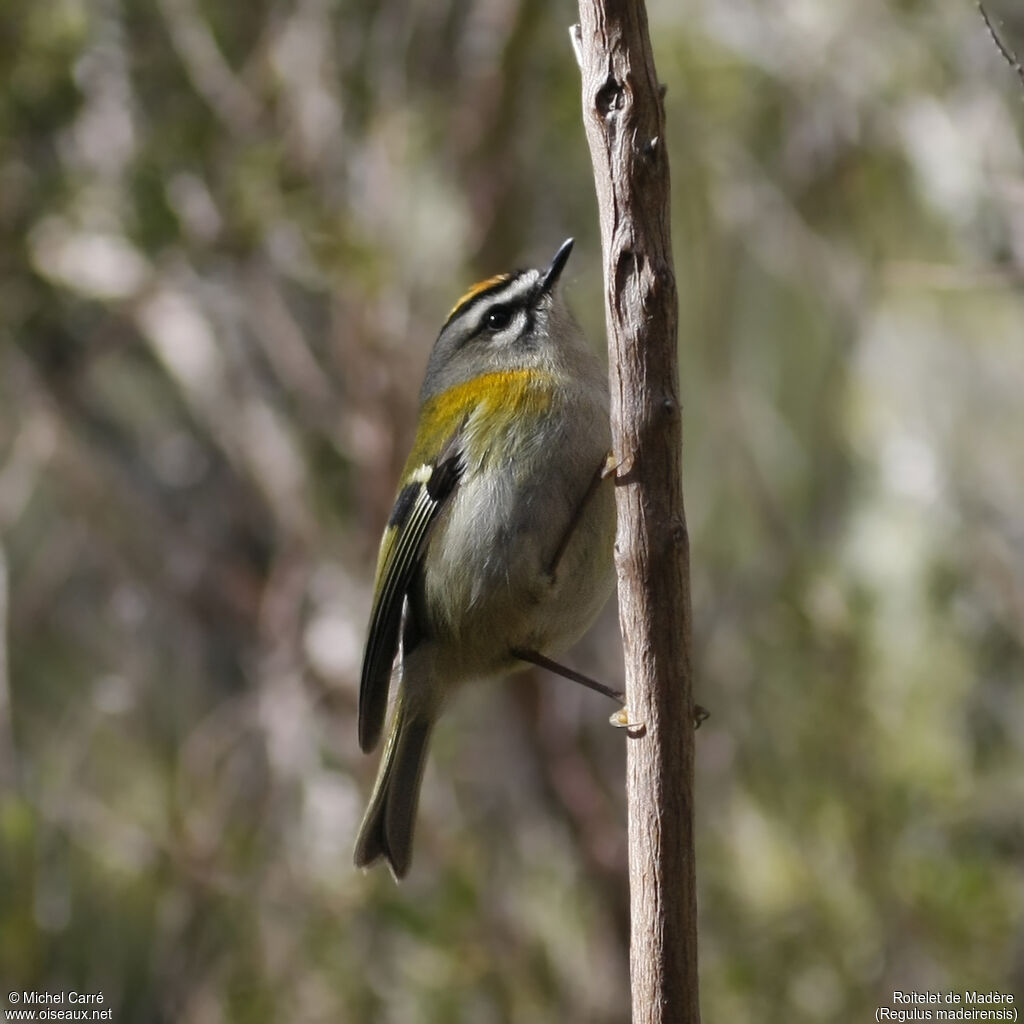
229 234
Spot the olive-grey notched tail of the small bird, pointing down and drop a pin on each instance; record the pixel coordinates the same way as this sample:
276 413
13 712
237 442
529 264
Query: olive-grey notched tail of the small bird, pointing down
388 826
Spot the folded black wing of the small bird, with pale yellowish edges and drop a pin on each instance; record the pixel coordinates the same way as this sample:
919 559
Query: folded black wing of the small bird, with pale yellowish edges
416 508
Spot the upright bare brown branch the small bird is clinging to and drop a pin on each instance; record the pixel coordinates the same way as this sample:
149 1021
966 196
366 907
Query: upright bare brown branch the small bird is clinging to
624 116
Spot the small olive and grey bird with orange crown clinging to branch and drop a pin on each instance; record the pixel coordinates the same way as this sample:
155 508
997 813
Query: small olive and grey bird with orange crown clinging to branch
499 548
